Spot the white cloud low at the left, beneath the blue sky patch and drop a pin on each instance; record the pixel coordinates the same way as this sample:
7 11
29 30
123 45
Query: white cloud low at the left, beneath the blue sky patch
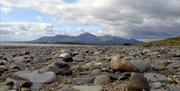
24 30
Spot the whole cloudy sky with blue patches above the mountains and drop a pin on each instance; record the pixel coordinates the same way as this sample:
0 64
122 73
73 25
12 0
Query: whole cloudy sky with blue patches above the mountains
24 20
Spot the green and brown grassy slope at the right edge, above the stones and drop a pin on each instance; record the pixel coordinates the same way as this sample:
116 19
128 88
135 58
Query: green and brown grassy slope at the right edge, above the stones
165 42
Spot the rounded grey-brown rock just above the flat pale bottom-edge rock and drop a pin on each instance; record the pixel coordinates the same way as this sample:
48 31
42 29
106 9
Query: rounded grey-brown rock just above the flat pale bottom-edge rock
102 79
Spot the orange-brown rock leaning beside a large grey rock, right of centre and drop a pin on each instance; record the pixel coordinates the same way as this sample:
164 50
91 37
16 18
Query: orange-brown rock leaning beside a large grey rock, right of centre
122 65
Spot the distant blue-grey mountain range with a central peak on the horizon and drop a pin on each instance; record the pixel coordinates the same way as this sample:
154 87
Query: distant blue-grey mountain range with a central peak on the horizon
86 38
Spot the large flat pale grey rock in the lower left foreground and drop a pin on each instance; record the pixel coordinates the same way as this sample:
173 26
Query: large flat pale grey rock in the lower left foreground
36 78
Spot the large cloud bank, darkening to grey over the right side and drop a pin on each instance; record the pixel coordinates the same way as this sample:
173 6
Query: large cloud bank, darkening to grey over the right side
125 18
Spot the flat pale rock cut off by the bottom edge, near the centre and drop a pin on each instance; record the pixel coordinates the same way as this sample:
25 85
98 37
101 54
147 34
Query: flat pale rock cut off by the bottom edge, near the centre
88 88
